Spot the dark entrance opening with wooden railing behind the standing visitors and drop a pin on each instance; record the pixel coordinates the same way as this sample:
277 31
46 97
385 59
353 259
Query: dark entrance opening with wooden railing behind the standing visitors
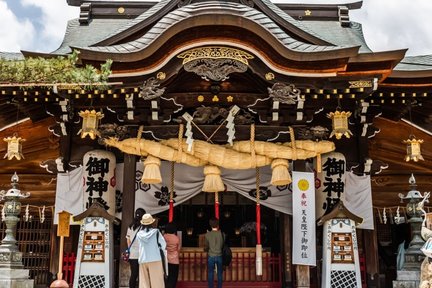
237 220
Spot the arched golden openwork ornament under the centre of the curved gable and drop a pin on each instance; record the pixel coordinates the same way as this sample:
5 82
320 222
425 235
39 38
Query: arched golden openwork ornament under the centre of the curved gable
215 52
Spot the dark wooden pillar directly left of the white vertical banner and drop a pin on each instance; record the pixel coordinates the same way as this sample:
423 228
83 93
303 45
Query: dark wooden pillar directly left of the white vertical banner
286 239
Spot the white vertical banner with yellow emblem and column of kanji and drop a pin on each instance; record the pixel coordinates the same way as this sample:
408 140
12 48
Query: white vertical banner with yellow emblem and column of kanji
303 195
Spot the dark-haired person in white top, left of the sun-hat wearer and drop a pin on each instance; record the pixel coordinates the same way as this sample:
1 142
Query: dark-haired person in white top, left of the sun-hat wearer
133 245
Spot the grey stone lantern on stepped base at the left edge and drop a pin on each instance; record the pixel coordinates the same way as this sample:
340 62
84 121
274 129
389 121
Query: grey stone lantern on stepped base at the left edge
12 272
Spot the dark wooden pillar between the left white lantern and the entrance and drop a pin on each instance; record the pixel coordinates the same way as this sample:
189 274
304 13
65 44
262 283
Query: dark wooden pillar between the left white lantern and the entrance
129 171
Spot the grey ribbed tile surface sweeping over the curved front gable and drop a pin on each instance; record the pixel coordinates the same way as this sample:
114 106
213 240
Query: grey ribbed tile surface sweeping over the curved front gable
211 8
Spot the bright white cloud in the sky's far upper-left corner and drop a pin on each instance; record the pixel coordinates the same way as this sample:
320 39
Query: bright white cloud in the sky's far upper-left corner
15 34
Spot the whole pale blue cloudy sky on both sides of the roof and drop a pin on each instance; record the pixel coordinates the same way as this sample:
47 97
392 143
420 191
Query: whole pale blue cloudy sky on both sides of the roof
39 25
